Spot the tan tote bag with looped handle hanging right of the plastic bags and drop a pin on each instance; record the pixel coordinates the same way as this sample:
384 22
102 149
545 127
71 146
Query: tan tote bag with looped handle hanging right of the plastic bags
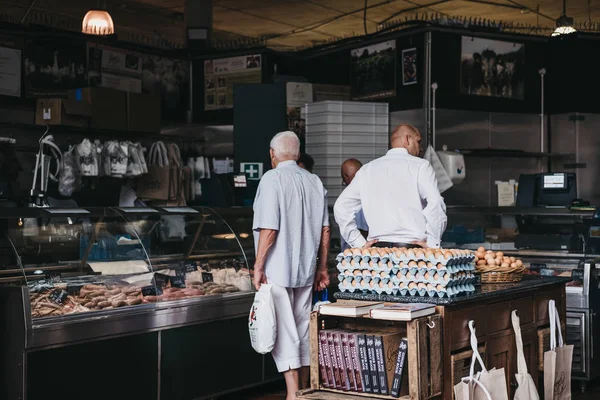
156 184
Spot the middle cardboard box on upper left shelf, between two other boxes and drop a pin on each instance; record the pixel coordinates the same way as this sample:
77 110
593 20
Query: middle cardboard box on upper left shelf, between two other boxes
108 107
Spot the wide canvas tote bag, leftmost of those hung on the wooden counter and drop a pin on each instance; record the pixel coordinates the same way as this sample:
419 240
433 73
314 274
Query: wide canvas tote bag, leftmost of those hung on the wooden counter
484 385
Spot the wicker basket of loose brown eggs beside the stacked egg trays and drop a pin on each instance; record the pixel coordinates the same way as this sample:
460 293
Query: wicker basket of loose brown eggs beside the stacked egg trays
495 267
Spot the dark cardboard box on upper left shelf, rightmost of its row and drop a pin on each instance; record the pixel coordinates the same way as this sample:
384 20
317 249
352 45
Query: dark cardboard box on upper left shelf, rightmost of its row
143 113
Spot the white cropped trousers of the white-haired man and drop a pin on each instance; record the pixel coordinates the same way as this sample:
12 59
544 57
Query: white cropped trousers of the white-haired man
292 308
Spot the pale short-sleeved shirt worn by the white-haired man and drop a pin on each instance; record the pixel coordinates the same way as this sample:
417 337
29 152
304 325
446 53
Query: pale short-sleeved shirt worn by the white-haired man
293 202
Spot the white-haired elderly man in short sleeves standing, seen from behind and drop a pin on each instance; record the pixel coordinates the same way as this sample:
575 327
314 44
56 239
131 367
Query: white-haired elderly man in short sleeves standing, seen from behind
291 235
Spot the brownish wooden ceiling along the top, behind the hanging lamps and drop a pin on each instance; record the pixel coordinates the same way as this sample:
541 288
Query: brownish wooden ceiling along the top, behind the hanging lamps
290 24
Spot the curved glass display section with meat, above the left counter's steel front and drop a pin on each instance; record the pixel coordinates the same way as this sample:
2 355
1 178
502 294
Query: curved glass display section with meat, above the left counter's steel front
81 261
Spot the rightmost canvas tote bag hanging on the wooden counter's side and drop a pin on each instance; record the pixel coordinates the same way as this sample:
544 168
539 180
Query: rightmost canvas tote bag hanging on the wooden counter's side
557 361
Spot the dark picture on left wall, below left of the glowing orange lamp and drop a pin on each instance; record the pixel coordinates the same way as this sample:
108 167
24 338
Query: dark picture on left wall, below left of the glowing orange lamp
54 66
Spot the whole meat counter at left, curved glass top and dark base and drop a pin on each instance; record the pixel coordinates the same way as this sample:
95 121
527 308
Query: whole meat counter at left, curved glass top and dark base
146 296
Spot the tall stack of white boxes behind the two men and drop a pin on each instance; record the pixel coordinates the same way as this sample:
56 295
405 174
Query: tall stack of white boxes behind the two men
338 130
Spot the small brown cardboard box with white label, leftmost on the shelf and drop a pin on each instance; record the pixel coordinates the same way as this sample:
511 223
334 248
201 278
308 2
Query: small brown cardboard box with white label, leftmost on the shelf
57 111
